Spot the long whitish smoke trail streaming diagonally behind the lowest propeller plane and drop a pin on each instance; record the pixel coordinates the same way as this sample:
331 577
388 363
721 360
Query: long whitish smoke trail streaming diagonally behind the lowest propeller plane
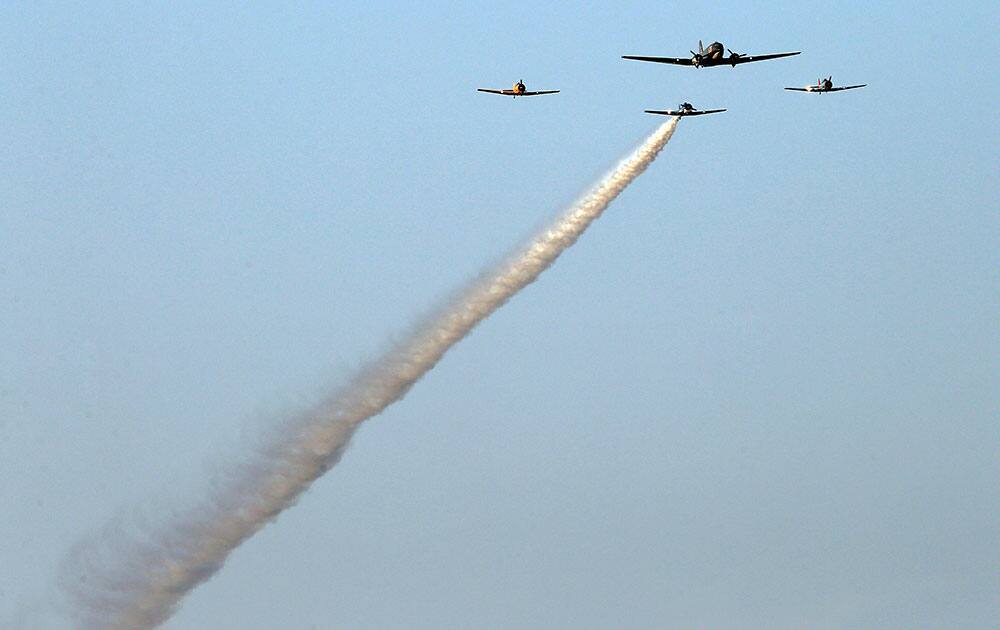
138 583
